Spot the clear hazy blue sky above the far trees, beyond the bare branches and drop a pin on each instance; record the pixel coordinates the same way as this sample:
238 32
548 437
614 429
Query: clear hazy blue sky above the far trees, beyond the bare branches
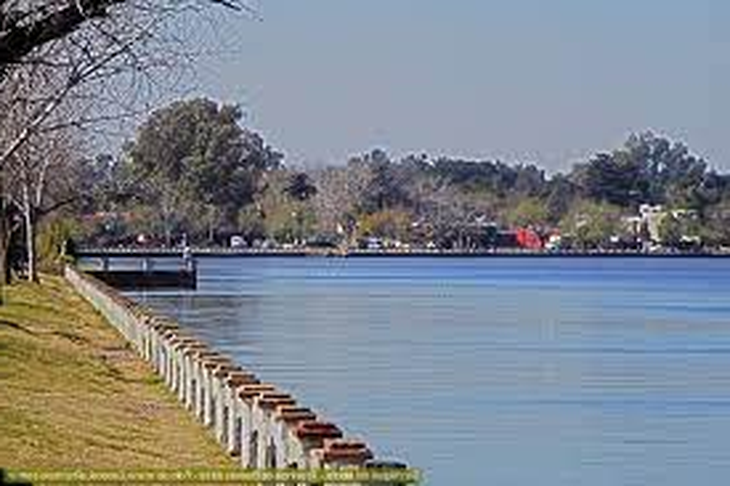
520 80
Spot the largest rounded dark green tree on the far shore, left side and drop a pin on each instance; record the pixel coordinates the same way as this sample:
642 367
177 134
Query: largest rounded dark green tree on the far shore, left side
195 154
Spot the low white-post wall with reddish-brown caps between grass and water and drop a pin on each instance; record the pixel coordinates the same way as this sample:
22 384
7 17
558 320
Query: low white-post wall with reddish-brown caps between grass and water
256 422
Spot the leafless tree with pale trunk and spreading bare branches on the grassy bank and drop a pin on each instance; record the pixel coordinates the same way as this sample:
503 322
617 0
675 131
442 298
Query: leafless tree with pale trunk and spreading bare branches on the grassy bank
67 65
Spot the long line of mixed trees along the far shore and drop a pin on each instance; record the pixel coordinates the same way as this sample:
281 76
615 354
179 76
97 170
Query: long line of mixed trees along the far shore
193 173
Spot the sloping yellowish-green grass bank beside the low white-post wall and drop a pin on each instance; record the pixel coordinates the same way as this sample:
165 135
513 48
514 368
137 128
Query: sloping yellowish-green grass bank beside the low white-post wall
74 394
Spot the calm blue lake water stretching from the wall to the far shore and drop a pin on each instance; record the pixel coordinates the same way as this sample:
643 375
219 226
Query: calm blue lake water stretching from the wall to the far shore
492 371
